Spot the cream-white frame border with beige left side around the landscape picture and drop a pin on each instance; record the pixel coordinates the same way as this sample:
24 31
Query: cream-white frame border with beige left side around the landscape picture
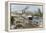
7 14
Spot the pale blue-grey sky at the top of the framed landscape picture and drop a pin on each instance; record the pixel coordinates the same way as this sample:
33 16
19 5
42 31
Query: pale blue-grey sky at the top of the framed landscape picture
31 8
